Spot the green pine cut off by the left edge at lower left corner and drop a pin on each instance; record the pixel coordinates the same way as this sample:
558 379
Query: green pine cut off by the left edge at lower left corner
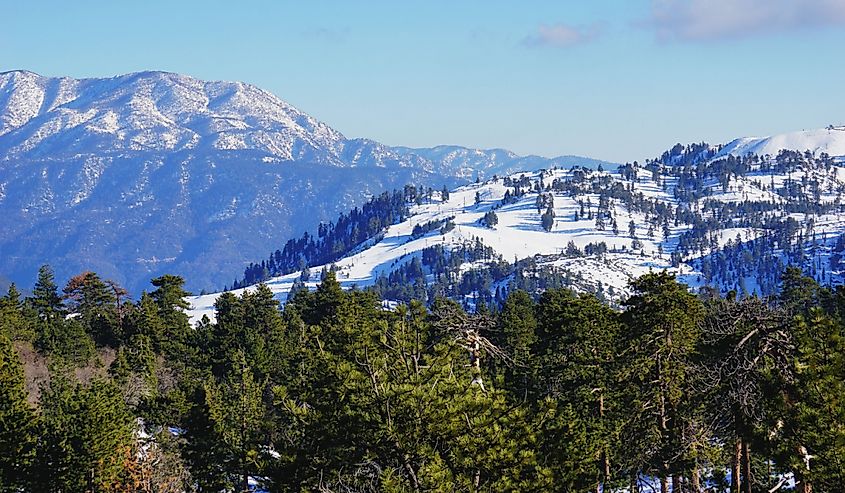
18 430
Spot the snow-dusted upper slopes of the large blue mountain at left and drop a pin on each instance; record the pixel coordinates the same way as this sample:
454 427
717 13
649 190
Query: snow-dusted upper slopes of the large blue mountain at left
155 111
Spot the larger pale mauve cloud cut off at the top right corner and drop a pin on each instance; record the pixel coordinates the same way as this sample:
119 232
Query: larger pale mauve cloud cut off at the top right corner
700 20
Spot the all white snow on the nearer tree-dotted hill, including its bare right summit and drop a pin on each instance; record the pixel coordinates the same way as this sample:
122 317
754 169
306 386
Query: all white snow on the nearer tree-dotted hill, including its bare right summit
519 234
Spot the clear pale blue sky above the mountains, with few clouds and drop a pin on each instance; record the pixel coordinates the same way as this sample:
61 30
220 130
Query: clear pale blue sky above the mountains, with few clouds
612 79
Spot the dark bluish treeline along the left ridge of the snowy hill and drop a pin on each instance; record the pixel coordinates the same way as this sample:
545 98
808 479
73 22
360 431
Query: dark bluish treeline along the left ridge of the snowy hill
336 239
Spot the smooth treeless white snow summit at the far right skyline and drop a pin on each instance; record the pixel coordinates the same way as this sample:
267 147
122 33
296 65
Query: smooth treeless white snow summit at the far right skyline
830 141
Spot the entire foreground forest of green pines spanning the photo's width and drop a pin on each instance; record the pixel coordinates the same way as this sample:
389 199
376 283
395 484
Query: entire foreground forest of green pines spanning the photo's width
556 392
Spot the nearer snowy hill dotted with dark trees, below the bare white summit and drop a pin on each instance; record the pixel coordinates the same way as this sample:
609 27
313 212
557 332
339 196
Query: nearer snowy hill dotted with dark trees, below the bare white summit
731 223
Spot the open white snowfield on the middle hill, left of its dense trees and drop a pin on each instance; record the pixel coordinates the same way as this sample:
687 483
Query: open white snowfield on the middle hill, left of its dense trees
518 235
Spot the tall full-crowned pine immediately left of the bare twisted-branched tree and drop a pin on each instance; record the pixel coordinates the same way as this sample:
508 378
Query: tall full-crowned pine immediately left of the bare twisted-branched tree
661 331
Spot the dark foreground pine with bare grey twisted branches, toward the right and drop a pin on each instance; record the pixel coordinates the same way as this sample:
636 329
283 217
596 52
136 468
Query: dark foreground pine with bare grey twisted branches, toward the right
742 347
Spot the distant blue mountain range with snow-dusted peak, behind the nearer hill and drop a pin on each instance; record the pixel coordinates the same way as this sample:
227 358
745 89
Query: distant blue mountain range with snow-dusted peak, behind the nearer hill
152 172
